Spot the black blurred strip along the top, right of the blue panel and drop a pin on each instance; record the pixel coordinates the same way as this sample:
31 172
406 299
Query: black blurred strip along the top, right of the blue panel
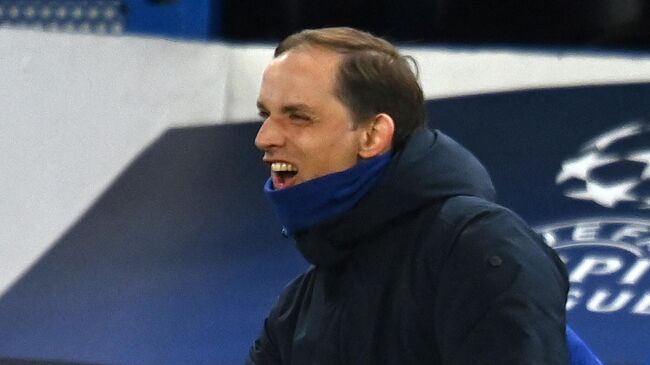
599 23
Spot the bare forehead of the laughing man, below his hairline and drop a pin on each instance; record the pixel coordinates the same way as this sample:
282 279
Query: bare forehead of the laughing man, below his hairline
301 73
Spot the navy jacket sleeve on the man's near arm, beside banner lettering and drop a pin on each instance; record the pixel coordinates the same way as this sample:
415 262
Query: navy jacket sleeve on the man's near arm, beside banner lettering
501 296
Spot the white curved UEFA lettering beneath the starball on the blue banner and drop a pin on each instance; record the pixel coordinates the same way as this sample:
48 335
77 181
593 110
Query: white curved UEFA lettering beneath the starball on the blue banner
608 260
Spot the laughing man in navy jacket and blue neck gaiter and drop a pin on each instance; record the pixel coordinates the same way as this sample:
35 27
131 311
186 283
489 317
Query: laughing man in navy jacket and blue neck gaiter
412 262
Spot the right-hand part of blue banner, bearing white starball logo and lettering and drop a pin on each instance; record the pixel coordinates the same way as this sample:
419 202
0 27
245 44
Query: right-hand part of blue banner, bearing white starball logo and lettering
526 139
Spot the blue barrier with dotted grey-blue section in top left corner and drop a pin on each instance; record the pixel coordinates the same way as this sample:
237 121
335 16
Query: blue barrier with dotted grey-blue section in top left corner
198 19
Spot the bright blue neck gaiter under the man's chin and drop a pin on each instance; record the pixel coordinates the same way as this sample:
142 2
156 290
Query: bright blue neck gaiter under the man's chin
326 197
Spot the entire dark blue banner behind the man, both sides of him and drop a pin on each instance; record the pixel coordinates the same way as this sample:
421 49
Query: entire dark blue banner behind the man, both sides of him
180 259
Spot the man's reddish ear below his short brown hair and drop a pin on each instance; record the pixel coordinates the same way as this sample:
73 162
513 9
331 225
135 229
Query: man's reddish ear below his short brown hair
377 137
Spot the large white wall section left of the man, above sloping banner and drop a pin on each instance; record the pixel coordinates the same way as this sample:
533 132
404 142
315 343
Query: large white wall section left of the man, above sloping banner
74 111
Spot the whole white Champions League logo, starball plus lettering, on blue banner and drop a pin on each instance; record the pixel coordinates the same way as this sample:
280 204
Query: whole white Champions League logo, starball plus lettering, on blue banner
608 256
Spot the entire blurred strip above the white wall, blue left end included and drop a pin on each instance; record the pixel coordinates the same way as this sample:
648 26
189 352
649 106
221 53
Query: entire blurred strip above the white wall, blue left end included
618 24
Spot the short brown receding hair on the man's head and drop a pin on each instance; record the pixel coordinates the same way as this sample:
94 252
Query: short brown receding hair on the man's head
373 76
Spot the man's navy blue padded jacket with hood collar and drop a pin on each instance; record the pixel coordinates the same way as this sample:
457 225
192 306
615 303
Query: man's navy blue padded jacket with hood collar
426 269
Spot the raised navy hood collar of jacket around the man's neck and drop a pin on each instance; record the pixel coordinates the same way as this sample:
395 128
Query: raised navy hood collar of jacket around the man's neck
430 168
